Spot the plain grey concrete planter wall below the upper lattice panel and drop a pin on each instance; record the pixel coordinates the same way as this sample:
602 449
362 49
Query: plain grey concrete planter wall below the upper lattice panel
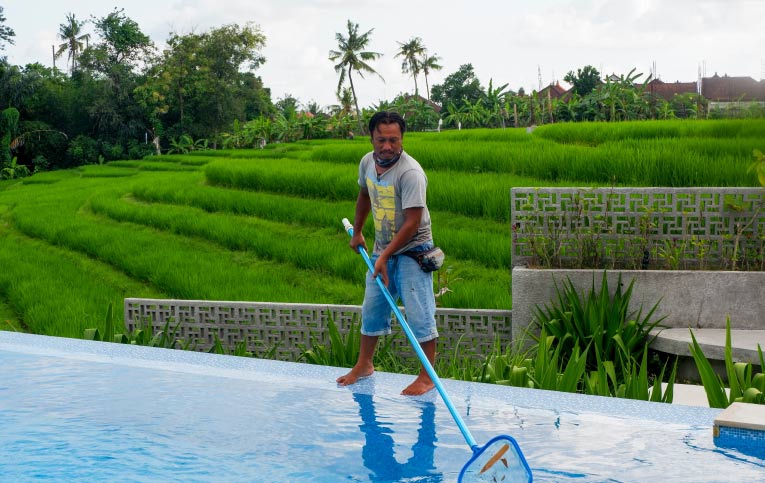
696 299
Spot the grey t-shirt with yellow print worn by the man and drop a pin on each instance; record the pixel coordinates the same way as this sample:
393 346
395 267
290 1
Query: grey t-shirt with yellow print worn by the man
402 186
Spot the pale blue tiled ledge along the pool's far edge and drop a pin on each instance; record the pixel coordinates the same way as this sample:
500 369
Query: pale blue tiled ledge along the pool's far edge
690 401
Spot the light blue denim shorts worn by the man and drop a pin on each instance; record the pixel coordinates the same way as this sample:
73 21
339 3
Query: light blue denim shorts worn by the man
414 287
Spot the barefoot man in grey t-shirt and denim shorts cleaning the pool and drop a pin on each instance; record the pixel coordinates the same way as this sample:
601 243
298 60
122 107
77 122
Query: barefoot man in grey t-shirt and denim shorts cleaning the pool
392 186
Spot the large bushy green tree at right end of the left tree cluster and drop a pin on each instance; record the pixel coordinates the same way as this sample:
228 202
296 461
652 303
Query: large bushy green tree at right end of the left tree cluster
203 82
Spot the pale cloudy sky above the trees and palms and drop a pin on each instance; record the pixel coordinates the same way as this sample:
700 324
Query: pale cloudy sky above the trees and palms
522 44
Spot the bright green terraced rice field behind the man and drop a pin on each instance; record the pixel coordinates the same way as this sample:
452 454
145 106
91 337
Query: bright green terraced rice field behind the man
264 225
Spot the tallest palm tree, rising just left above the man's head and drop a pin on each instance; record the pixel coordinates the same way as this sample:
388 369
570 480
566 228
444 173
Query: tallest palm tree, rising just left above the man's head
350 55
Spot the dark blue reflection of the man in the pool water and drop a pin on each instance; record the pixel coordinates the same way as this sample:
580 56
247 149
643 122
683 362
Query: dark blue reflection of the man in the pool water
378 447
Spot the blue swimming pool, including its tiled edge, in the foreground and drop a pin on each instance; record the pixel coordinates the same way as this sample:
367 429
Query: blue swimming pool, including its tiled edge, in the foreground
74 410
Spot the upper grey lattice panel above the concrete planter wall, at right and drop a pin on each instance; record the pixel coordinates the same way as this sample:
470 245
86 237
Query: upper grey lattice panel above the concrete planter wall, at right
639 228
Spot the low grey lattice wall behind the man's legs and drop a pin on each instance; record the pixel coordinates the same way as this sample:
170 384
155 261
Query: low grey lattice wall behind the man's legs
283 329
